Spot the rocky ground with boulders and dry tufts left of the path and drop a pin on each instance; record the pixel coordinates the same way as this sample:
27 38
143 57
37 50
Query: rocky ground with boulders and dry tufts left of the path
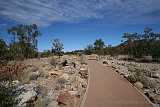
51 82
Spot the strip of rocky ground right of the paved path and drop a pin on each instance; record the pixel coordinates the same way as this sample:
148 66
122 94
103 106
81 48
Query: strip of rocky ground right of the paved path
144 76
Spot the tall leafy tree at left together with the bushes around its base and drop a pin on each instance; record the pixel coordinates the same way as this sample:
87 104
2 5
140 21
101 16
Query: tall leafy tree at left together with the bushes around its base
26 46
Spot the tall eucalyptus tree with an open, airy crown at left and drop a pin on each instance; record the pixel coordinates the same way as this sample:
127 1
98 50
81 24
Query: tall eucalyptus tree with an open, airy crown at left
26 36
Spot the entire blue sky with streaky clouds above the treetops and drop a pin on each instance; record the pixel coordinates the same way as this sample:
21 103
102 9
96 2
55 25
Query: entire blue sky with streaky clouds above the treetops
78 23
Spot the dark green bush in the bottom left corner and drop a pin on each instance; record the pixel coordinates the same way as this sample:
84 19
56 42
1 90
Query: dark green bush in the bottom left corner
6 99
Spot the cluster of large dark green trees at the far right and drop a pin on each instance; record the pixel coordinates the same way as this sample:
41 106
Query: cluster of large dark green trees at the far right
140 45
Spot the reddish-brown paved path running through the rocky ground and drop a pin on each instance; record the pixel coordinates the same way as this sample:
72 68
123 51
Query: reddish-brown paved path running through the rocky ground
109 89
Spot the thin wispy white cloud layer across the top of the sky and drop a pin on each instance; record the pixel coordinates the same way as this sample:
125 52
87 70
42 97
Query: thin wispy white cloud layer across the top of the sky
46 12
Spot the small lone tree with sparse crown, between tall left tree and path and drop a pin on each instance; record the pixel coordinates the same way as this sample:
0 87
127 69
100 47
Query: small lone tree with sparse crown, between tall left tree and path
57 47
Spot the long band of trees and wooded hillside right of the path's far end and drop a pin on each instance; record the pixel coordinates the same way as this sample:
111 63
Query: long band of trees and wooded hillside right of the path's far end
135 46
